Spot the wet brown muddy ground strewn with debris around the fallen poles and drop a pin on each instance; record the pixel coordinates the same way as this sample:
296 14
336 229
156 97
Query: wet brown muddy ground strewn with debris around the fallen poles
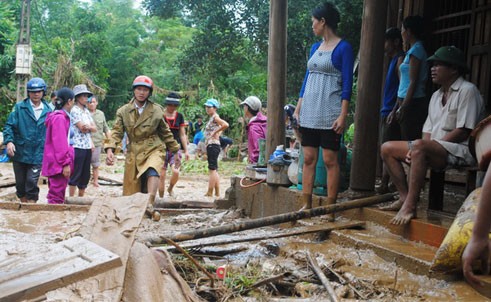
355 274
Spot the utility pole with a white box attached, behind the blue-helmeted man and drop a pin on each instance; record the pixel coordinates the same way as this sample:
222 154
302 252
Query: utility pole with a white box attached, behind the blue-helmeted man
23 58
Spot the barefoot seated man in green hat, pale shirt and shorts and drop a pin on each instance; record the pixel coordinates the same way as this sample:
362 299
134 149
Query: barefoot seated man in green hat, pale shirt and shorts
453 112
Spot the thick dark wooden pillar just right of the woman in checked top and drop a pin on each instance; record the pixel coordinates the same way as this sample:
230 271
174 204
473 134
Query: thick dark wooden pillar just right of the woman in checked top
364 161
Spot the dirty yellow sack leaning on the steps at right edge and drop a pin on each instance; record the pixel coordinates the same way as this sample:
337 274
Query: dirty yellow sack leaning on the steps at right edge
448 258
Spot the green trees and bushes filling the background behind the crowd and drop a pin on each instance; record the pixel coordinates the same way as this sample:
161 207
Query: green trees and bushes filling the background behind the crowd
199 48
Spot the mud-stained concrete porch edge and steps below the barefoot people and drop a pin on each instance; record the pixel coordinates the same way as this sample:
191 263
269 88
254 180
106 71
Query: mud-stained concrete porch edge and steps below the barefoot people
412 246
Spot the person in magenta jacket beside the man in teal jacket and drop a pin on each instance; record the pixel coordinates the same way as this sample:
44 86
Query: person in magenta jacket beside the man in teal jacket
58 151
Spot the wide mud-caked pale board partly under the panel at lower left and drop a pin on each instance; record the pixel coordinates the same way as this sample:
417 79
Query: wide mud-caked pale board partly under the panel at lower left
111 223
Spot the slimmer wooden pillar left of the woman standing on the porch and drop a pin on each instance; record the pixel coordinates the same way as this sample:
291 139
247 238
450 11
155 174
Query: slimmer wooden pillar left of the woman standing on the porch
276 74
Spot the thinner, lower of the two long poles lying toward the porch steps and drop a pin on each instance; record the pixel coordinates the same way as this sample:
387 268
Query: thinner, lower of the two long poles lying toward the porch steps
328 228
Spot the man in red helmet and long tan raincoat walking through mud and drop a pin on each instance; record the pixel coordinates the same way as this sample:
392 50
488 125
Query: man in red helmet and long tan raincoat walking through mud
149 137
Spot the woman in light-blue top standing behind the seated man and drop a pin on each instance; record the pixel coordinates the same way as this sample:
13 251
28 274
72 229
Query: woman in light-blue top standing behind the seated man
413 104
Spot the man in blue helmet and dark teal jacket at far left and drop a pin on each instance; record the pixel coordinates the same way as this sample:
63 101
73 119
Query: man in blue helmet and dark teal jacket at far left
24 135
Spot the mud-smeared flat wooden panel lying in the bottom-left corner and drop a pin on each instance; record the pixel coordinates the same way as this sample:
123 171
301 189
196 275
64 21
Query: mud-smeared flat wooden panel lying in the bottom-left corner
25 277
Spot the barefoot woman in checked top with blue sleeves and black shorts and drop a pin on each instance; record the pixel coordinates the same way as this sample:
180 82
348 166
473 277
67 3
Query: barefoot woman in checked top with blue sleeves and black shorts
324 100
